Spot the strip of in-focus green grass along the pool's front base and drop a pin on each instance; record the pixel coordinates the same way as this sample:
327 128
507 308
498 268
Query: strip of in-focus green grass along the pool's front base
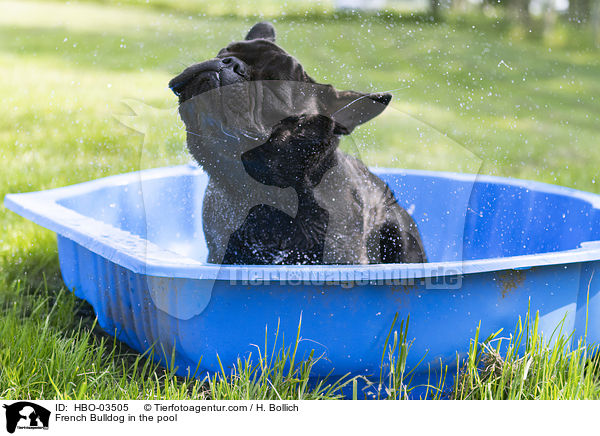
51 348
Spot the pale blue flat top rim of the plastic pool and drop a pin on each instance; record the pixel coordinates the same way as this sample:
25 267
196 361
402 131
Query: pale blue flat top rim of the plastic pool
143 257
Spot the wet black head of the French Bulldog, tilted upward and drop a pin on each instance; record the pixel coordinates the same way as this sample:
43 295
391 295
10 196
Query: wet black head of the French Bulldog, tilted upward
236 101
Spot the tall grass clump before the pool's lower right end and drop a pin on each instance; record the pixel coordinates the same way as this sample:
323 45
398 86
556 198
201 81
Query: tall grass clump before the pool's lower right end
528 366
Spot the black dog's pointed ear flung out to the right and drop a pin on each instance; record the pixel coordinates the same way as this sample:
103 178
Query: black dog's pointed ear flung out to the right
352 108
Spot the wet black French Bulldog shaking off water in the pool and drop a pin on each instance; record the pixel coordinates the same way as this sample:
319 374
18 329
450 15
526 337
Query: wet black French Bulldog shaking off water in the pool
280 191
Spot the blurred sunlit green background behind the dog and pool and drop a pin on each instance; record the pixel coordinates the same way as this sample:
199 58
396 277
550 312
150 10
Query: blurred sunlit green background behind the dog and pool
508 87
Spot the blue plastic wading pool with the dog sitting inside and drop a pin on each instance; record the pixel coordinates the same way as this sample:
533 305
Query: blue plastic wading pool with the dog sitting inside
132 245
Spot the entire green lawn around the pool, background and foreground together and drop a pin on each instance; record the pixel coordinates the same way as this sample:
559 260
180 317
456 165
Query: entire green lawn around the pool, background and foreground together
472 94
